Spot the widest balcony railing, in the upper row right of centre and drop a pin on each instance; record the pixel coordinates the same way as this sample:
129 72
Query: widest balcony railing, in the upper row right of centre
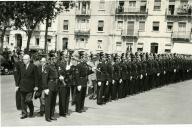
131 10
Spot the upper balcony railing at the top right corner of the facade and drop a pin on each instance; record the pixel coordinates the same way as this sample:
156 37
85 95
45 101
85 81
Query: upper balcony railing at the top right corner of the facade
179 12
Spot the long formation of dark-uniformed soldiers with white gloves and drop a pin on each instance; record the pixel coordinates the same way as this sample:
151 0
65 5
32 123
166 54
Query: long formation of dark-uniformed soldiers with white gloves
110 77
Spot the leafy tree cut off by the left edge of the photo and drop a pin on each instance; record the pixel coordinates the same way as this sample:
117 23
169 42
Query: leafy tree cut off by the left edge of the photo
7 9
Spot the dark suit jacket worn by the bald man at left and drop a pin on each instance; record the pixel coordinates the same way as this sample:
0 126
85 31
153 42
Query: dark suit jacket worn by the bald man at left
28 78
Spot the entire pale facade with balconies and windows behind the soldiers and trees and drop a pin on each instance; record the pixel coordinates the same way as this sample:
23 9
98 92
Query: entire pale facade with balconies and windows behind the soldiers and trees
157 26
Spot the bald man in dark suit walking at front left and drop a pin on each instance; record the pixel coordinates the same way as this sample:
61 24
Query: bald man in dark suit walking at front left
27 83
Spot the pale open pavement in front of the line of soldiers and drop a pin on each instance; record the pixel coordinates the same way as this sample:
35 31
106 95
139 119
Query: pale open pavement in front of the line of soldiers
167 105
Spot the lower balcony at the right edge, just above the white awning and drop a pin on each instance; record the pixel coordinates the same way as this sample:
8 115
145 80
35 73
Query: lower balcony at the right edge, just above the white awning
181 36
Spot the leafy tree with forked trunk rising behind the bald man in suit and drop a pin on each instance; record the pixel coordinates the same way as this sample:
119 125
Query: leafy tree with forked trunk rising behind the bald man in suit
28 15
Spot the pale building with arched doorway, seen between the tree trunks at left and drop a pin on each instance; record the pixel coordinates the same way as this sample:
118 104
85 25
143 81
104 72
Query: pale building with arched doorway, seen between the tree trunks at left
18 39
